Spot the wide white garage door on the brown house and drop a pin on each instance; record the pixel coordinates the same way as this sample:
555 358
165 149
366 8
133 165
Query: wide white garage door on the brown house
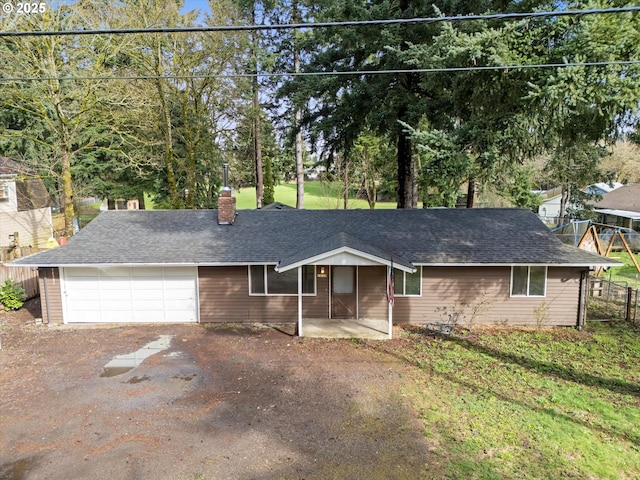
137 294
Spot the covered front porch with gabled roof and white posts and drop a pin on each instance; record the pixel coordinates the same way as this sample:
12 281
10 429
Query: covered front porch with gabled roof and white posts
354 287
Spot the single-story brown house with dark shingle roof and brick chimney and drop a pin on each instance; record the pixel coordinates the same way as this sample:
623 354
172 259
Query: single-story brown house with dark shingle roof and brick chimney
465 266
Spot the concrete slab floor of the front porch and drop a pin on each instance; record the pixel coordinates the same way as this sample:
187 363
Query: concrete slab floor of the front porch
371 329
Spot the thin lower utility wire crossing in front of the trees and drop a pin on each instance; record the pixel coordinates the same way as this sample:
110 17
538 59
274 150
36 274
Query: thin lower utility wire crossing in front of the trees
327 73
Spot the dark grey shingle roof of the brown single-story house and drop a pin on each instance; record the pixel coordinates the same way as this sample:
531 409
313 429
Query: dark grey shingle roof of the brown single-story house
445 237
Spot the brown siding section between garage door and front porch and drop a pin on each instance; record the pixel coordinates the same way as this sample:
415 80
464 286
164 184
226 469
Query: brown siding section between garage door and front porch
224 297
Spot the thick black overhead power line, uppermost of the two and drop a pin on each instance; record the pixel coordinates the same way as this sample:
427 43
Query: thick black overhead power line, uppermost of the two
355 23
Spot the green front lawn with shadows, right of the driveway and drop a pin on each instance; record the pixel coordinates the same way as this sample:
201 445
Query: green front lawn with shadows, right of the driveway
545 404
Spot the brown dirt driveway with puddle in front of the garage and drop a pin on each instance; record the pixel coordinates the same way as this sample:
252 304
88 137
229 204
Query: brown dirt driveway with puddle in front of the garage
223 403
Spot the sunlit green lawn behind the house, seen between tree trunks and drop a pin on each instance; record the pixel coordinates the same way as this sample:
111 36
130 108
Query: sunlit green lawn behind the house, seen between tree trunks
317 195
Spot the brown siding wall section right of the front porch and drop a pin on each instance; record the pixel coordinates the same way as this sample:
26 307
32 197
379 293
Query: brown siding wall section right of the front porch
480 295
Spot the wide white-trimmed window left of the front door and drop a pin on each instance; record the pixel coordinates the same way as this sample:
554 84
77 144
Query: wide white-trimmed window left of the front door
264 280
